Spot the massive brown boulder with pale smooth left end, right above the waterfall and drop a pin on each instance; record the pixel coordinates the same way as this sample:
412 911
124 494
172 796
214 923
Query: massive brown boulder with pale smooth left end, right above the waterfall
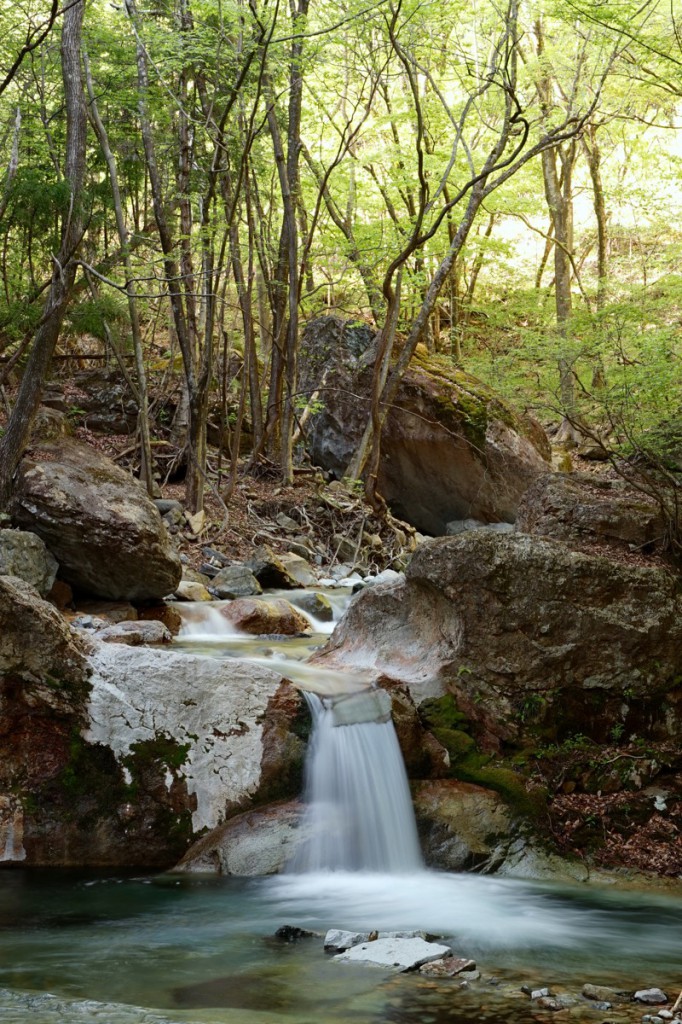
526 632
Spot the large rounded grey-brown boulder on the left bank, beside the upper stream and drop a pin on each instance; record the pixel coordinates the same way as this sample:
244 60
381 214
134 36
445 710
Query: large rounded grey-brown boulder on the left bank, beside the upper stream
97 521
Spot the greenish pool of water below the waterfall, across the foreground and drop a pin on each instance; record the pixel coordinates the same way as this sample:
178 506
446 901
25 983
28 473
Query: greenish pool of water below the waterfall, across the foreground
142 950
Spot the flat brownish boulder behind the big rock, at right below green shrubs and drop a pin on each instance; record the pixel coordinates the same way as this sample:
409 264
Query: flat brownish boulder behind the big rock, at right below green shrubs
585 511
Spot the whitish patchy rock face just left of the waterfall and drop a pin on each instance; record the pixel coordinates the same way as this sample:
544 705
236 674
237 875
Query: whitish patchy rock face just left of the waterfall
215 707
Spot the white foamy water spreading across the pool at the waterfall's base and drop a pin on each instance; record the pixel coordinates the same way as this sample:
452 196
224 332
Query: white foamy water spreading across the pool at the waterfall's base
481 913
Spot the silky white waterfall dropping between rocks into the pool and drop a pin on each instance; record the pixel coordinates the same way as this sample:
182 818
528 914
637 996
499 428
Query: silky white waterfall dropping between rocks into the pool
360 815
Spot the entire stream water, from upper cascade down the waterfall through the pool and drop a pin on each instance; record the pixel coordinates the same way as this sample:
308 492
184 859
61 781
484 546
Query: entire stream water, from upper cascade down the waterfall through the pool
91 949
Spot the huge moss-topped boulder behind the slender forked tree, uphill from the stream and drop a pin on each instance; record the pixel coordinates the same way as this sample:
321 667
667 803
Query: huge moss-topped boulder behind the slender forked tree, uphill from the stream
452 449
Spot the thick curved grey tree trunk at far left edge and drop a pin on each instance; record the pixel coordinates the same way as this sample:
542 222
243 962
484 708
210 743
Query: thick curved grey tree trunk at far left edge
64 274
